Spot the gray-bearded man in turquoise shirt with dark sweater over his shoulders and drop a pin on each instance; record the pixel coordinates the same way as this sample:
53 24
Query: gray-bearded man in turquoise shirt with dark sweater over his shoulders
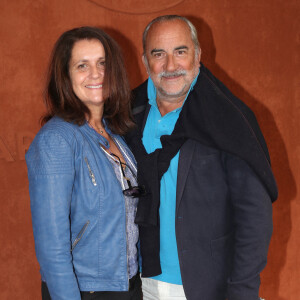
206 220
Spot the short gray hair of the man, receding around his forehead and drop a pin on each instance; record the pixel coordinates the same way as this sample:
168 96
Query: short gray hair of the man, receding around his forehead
165 18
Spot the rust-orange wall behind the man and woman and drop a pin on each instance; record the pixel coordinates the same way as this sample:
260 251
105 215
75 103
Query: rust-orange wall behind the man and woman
253 46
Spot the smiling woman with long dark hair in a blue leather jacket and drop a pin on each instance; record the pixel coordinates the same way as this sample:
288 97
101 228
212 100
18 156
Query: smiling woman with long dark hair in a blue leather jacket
82 176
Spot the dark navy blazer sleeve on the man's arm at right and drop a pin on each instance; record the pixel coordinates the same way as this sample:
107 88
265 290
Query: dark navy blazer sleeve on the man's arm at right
253 222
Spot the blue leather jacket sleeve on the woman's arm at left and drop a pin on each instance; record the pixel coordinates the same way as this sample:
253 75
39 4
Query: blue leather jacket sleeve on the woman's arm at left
50 162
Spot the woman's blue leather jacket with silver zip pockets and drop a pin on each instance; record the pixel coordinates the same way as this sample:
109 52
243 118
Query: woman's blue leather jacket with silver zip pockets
78 211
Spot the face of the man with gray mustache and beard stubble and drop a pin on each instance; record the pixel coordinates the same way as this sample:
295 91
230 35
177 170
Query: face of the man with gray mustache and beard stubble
171 59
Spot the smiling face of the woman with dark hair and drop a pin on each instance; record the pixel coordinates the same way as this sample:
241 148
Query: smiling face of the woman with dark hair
86 68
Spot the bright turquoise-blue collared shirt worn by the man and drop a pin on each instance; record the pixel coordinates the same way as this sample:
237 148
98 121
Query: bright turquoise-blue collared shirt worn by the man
155 127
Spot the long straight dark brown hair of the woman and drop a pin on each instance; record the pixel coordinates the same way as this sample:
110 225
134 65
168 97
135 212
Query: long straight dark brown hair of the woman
62 101
